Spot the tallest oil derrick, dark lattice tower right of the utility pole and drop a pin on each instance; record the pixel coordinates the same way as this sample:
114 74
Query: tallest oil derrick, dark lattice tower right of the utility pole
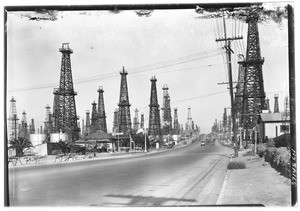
253 94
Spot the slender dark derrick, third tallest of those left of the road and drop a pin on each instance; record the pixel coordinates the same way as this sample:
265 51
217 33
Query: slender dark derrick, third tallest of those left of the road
154 117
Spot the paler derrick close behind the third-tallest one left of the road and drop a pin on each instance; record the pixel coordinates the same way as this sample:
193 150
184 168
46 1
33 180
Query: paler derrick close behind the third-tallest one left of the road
167 118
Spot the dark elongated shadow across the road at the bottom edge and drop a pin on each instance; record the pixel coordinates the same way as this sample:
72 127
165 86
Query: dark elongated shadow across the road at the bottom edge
141 201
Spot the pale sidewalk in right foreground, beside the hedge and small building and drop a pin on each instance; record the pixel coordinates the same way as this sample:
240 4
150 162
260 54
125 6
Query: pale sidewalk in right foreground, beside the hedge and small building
257 184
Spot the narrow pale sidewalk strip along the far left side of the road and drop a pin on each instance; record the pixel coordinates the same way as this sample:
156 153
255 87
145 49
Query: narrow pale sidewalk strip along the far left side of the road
51 159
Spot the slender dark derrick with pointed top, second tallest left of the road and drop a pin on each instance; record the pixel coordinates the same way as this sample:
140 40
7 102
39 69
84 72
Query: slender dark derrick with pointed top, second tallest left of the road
124 105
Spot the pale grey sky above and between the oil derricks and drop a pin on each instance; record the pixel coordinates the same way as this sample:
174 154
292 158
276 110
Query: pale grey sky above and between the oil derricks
177 46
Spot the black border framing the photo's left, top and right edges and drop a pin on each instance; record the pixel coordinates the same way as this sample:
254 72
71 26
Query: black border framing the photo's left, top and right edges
207 6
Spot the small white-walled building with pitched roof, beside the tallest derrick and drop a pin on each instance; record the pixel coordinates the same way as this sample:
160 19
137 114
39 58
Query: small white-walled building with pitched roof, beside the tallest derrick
272 125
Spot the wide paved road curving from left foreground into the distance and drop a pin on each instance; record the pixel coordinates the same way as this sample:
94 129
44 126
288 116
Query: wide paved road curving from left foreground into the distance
191 175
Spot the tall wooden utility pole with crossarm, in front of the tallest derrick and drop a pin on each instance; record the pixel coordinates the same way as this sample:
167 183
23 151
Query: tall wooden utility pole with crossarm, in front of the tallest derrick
228 49
